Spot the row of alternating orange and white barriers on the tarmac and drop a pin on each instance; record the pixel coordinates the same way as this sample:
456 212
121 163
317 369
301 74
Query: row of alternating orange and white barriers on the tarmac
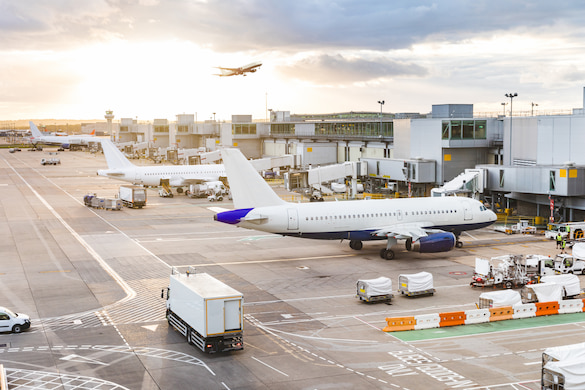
478 316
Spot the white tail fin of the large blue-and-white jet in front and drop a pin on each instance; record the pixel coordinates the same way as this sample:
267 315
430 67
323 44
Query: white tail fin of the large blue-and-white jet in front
247 187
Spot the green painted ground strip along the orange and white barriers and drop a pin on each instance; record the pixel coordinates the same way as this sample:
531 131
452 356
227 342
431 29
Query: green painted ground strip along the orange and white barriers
490 327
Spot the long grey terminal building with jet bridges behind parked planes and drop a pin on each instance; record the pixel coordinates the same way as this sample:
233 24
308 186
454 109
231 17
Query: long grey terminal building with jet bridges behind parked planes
527 162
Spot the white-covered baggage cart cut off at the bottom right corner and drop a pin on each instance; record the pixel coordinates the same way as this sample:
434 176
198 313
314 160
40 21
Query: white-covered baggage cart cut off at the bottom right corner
563 367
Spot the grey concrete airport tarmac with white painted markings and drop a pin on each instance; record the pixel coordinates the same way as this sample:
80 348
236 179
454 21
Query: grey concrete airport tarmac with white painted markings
91 281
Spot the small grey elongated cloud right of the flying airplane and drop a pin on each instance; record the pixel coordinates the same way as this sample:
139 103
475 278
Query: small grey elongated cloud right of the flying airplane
339 70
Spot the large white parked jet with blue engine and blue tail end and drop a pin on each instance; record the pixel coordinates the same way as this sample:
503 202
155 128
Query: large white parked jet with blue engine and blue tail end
433 223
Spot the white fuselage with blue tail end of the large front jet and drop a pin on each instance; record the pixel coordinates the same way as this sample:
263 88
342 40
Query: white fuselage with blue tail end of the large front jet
360 220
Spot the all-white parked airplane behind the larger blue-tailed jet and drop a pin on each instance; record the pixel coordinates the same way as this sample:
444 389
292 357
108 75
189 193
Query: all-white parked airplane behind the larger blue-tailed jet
179 176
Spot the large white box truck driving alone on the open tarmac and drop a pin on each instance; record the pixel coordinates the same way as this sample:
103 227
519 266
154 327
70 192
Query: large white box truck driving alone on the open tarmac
205 310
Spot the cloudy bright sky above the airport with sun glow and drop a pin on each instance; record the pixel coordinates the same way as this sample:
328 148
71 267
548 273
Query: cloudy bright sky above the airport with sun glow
155 59
